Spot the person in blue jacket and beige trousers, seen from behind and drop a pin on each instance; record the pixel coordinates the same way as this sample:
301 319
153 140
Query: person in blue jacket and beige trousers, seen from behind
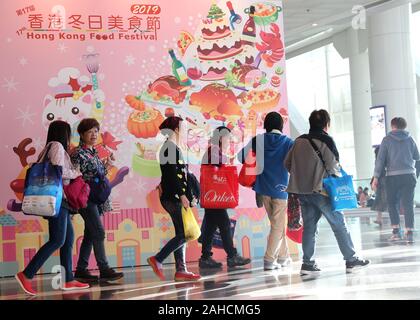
271 182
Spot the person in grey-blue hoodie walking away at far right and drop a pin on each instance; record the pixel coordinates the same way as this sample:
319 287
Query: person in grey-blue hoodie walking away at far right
398 154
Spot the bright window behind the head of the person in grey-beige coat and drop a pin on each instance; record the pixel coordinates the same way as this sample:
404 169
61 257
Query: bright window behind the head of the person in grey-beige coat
320 79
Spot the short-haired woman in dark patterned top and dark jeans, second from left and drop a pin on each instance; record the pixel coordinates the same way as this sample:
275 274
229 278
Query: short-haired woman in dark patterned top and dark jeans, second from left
94 172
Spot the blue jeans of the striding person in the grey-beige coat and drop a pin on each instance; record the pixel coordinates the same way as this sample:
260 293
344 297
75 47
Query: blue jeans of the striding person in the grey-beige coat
313 207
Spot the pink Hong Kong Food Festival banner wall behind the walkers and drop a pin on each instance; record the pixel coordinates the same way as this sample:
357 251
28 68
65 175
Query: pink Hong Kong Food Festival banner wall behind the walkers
130 65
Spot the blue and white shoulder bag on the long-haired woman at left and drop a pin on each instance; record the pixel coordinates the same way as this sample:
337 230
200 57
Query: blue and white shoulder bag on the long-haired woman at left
43 191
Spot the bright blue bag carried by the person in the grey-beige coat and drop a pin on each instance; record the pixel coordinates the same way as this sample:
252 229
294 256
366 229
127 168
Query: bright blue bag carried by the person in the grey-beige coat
341 191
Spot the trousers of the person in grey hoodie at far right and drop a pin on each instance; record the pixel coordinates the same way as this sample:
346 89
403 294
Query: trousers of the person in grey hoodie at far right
397 187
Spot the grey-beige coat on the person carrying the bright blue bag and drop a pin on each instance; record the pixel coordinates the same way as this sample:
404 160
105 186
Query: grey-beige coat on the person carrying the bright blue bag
305 167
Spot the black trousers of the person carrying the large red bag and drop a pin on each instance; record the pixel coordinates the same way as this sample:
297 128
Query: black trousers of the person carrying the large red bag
213 219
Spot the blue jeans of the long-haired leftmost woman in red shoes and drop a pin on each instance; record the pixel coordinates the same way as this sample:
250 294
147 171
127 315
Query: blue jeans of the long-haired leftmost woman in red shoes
61 237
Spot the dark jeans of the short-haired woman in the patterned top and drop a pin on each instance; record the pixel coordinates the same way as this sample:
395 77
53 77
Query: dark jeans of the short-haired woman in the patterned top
93 237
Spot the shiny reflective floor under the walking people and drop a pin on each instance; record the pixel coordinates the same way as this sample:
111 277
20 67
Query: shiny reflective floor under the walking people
394 274
